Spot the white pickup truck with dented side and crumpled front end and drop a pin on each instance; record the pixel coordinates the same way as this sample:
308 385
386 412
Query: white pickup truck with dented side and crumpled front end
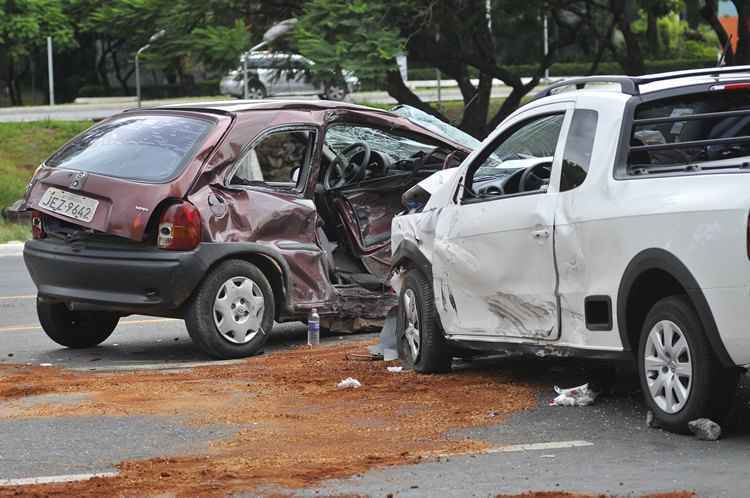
607 218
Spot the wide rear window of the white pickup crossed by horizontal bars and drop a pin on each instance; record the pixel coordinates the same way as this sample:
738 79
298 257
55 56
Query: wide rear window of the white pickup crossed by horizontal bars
691 133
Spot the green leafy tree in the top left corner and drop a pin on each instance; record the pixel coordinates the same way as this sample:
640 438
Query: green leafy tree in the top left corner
24 28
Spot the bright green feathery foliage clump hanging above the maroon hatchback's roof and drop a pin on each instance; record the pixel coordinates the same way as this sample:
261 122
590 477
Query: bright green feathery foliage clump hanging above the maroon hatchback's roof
356 38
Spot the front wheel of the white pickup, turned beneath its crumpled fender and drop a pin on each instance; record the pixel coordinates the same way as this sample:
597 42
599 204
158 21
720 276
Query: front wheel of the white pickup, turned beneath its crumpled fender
427 351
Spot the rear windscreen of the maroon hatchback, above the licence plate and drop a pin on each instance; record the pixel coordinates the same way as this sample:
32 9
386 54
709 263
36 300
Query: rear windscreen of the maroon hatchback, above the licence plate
144 148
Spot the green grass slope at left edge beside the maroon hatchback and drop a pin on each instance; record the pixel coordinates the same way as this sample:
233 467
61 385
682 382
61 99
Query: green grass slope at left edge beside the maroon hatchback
23 146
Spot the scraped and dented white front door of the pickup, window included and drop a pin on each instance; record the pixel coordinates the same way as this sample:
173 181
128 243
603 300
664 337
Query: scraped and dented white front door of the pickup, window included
493 262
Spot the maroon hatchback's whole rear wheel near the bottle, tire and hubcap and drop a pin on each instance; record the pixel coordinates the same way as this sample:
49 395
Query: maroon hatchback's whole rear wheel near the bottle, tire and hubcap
231 314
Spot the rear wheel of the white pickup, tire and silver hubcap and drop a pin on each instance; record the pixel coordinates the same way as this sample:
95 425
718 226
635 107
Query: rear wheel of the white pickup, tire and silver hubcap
709 389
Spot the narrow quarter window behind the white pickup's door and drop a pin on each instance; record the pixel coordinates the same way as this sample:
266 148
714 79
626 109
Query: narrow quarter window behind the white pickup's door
578 148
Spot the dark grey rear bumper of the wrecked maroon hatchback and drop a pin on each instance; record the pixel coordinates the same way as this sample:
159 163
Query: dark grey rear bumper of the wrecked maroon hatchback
141 280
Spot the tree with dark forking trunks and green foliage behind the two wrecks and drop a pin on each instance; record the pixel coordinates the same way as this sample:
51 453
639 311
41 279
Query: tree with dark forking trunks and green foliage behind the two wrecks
458 37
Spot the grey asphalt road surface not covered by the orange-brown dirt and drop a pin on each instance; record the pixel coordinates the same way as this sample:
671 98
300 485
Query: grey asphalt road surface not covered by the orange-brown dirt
604 448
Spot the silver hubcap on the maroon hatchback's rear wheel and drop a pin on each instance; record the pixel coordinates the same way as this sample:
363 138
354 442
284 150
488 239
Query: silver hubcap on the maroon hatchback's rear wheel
238 310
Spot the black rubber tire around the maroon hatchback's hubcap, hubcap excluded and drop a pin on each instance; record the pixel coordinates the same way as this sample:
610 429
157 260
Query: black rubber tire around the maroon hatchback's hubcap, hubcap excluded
199 316
